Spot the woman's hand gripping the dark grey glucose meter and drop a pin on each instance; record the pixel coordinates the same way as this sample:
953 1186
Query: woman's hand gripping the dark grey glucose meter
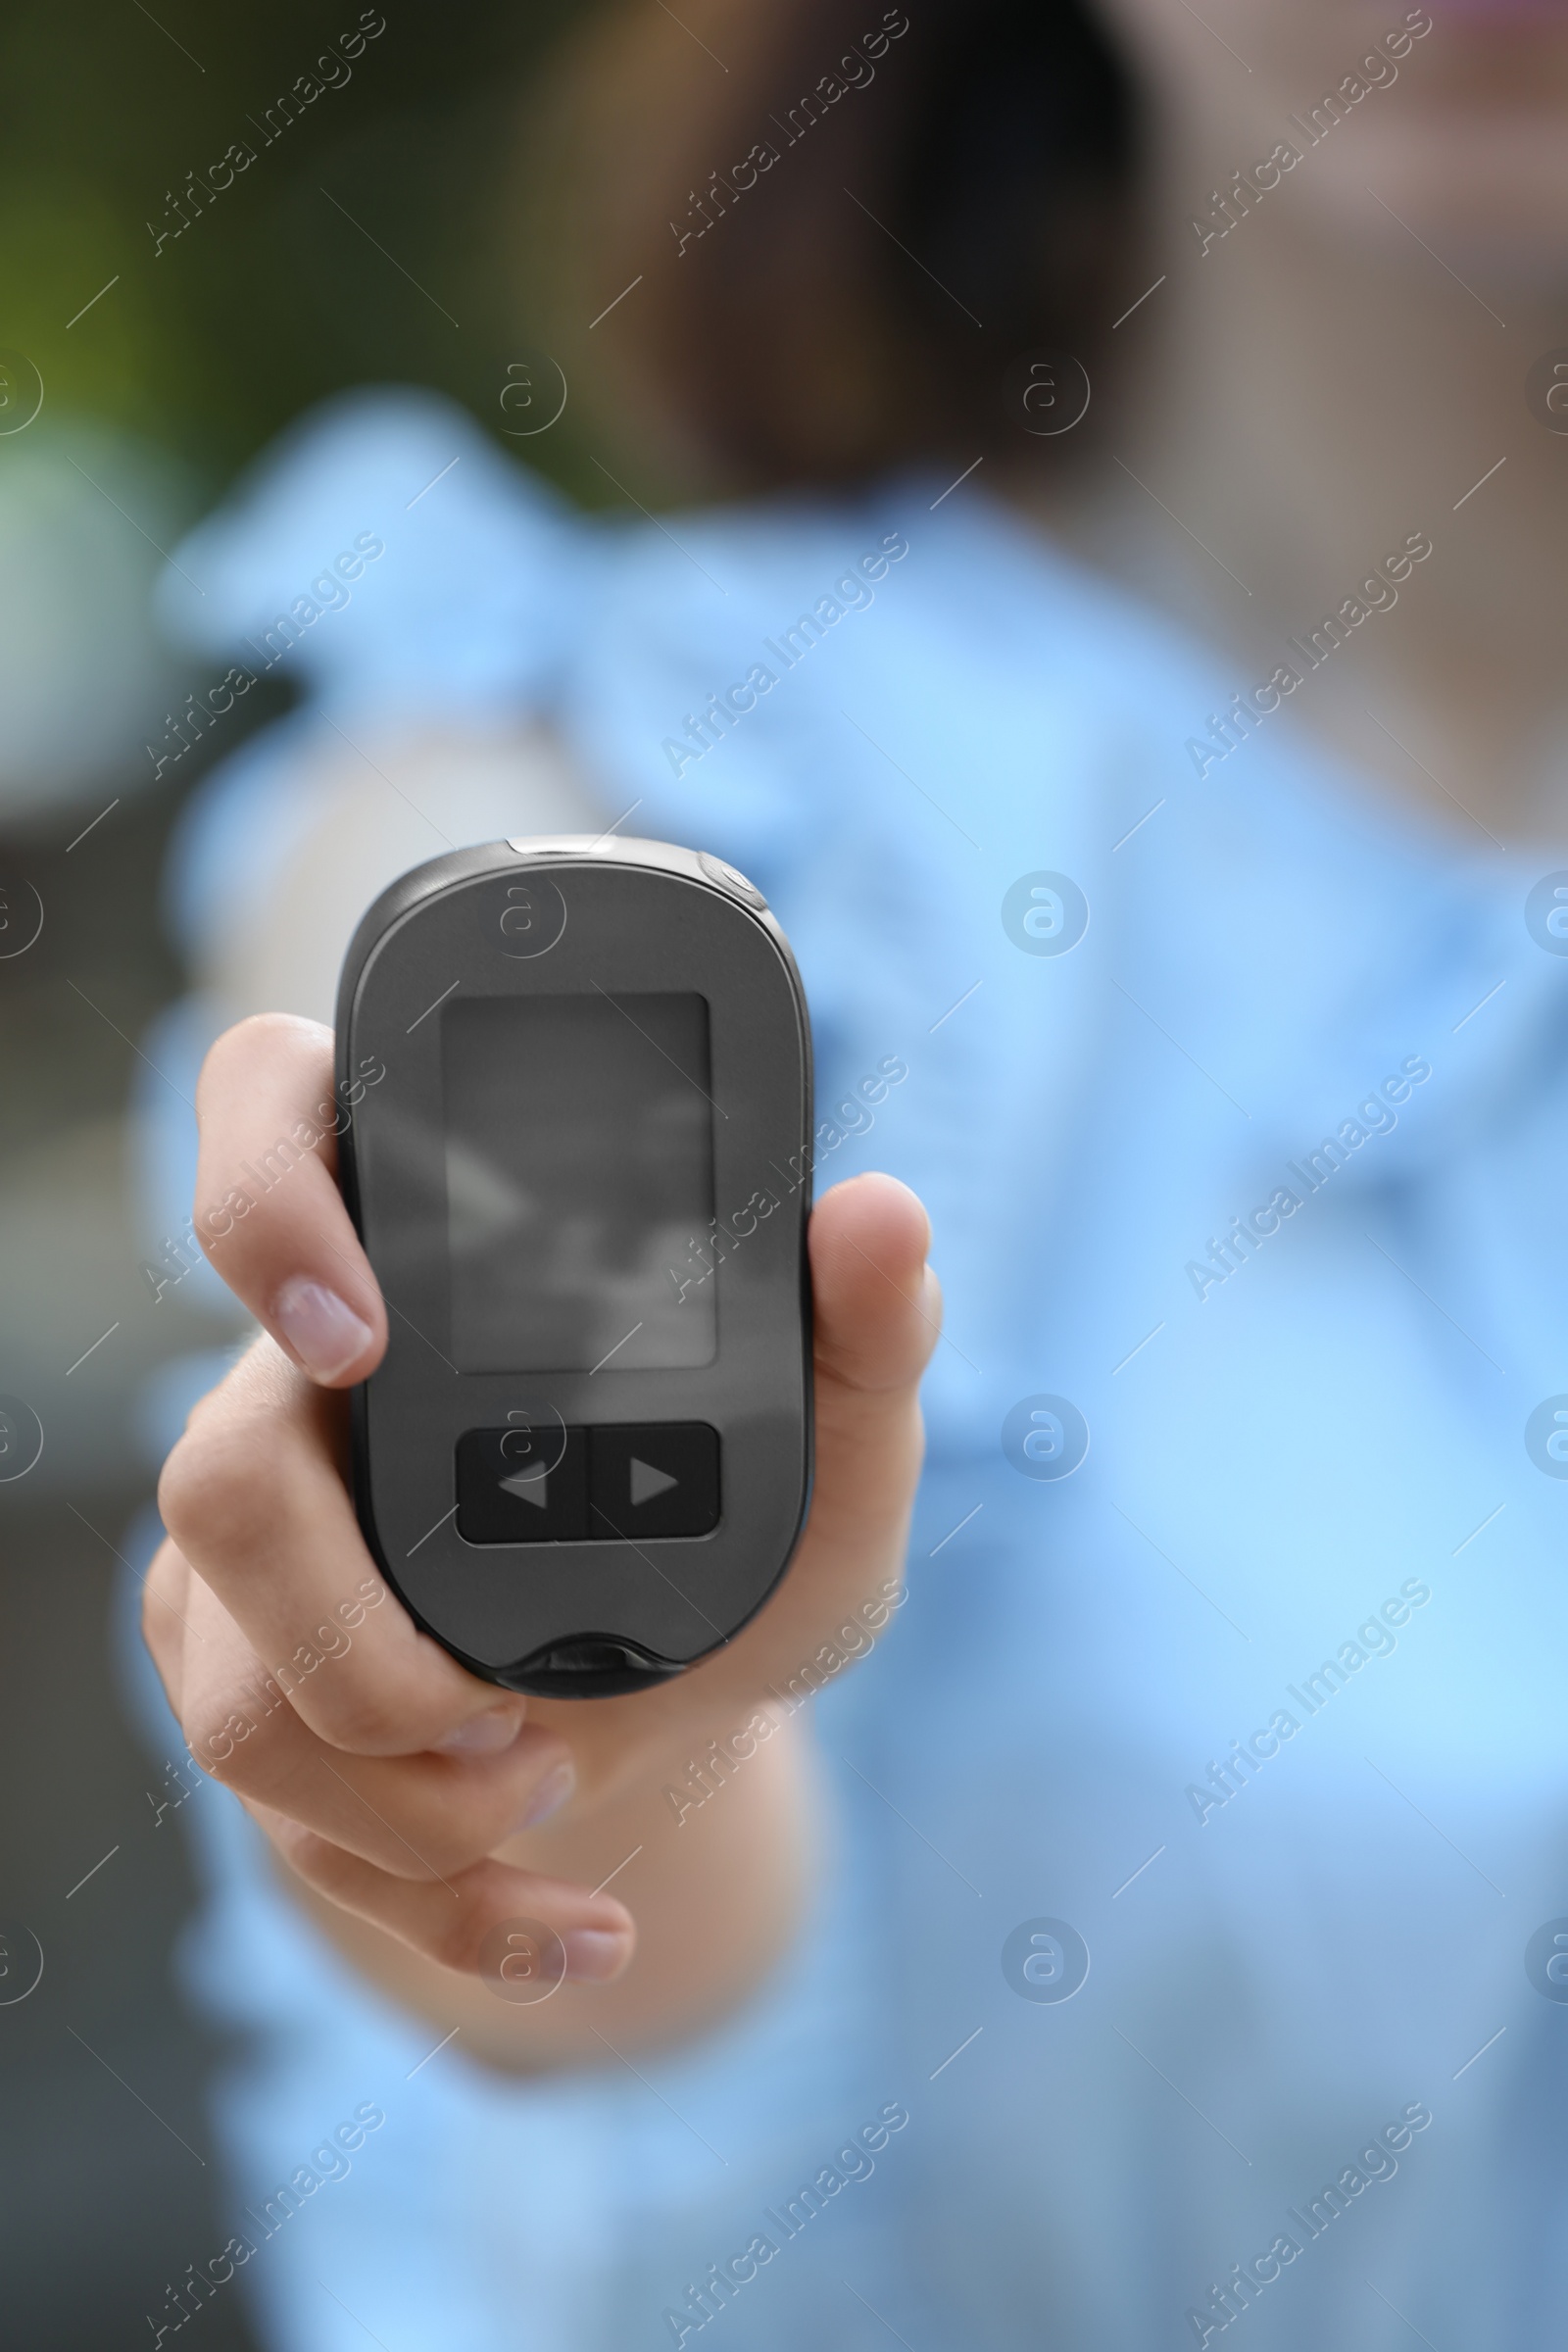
394 1784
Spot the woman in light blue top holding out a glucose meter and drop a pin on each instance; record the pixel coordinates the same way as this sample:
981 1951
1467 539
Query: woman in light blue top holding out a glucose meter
1158 1935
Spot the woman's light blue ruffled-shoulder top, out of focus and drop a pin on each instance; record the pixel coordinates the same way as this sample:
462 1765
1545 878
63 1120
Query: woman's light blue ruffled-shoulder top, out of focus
1304 1384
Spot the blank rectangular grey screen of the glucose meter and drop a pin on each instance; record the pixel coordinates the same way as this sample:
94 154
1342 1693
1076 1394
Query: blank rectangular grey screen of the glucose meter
579 1170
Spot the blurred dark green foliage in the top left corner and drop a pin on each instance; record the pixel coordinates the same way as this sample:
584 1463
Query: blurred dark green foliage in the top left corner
272 300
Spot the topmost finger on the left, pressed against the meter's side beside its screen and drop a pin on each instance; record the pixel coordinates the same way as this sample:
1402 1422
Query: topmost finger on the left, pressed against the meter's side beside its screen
267 1205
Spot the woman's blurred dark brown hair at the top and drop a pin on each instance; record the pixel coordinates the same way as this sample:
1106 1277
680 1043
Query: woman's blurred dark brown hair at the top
845 225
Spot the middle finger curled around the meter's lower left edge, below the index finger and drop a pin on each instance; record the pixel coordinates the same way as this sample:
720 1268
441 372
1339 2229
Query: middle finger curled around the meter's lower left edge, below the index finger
255 1502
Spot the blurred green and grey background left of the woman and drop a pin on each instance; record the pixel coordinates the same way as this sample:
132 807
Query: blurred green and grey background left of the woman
138 377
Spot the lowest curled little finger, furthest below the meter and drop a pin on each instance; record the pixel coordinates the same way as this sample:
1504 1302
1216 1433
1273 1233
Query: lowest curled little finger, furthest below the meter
450 1923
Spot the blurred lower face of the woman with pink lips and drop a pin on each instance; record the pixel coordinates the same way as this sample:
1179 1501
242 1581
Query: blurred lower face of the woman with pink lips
1454 114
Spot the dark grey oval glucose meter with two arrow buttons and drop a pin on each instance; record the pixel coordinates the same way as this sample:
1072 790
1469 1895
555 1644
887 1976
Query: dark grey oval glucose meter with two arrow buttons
584 1184
